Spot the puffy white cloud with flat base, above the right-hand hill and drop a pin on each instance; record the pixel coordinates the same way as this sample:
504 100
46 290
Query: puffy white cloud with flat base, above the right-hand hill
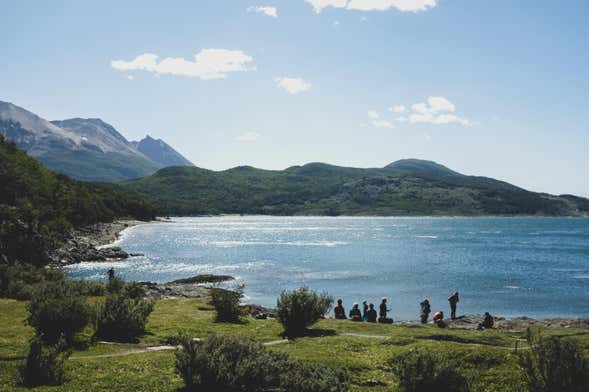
437 110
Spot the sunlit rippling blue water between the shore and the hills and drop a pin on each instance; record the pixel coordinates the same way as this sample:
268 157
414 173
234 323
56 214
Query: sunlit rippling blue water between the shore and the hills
538 267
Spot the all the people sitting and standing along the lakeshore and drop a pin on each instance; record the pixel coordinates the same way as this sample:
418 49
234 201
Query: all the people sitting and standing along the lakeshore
368 313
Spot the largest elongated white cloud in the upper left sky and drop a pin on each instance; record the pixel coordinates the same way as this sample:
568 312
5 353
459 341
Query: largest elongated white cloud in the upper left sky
207 64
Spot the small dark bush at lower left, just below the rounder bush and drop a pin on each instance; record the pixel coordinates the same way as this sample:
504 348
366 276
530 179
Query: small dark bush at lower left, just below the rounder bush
44 364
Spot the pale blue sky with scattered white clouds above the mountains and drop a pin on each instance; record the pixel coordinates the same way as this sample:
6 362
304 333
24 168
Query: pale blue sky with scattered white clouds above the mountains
493 88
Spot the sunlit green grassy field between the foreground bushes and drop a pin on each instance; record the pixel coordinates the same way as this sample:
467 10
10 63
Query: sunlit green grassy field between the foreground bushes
363 349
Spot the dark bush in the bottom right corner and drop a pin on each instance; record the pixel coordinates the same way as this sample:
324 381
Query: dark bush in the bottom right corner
553 364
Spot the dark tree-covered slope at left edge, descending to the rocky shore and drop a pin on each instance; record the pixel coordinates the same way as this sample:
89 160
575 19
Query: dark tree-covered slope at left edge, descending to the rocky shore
37 206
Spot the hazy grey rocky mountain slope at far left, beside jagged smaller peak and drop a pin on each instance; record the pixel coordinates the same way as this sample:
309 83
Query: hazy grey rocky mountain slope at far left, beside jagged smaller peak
85 149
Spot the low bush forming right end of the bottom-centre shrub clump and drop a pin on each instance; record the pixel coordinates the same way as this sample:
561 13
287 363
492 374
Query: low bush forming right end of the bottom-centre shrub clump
312 377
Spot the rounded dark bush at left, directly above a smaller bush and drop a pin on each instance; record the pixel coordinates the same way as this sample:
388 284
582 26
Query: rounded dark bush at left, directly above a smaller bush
58 310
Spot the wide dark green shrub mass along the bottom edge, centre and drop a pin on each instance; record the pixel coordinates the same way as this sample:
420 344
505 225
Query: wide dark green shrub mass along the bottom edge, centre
229 364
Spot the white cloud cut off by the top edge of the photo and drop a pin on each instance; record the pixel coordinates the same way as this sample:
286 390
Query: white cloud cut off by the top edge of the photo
374 5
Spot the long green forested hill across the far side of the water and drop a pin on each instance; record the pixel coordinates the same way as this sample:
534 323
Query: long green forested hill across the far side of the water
407 187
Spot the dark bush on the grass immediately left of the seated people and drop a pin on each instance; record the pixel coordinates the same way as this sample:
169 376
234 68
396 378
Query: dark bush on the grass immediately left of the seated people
299 309
